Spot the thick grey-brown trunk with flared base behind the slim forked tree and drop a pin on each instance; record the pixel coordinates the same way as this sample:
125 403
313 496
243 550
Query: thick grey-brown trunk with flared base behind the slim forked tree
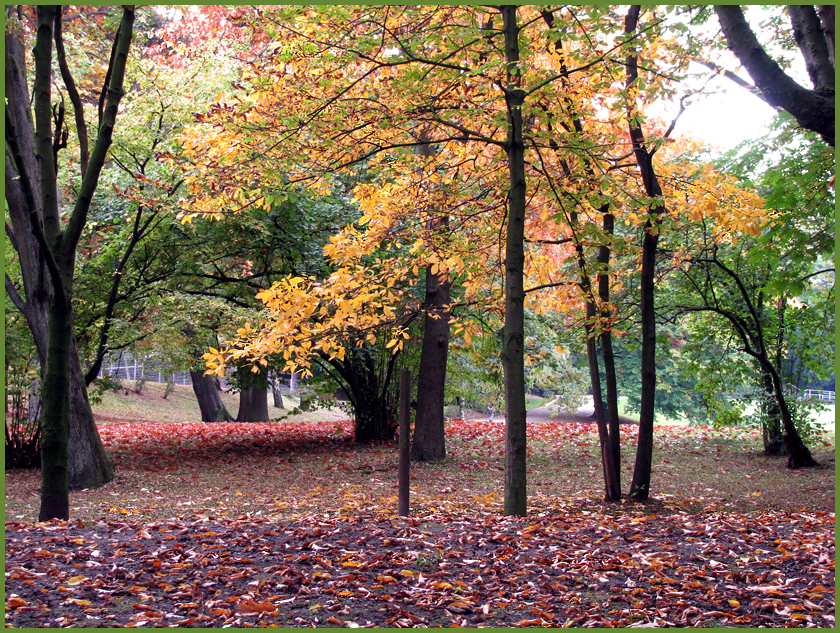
87 465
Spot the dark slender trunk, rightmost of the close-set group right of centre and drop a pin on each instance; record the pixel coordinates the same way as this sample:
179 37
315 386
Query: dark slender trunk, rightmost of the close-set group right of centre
640 486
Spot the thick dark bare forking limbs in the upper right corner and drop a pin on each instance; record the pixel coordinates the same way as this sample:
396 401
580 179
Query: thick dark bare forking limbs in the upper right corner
812 109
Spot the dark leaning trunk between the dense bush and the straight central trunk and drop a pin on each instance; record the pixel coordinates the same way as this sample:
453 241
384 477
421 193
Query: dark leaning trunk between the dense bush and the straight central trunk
429 442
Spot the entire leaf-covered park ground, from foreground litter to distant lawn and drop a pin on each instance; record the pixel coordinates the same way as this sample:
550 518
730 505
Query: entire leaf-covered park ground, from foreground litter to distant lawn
291 524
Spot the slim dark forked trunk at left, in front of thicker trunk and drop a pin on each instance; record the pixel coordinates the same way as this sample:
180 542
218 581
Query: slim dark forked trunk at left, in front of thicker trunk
34 186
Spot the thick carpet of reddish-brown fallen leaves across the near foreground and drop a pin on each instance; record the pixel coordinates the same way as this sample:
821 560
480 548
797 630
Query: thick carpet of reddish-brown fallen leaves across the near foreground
578 569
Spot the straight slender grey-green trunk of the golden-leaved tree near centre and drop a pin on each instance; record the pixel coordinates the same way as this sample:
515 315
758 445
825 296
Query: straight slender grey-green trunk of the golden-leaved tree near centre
513 355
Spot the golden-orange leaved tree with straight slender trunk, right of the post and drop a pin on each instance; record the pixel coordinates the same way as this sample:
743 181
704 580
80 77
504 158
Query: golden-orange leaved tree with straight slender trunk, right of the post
359 102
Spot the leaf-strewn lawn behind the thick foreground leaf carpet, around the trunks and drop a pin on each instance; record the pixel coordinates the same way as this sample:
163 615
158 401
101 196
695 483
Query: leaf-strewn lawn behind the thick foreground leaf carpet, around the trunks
308 462
